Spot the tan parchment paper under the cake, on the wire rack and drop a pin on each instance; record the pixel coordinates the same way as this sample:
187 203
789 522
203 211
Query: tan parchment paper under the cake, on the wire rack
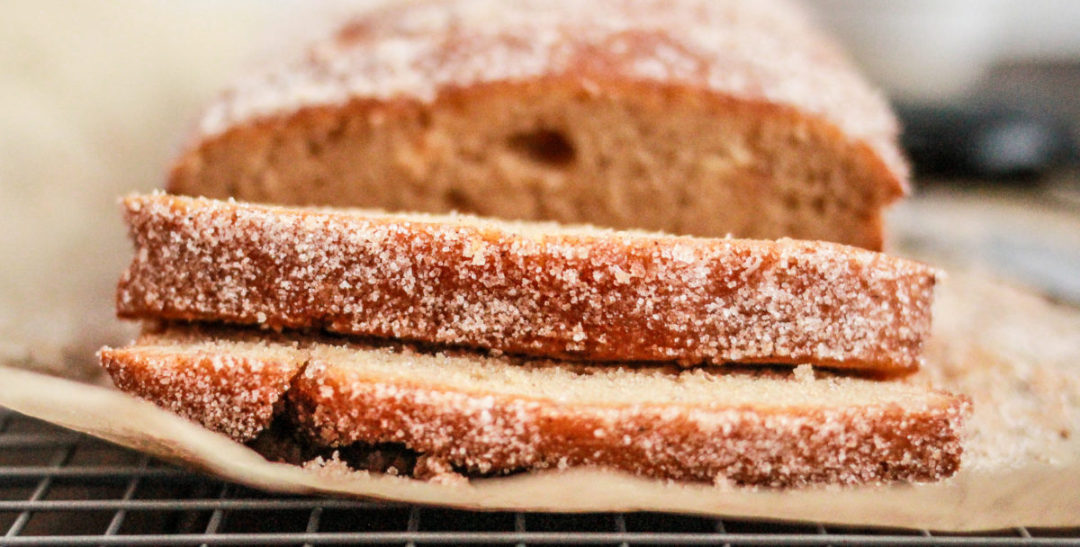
1017 356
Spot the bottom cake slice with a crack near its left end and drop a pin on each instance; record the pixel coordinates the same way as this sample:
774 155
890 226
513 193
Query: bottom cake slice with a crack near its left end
492 416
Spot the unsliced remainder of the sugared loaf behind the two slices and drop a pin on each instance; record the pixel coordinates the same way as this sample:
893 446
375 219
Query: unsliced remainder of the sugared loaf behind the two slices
696 117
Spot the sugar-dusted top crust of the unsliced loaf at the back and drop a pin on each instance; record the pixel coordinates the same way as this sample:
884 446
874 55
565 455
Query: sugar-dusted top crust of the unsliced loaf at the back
762 51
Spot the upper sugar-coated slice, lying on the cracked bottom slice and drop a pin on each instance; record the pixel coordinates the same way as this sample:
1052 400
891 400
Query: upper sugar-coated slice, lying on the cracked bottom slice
525 288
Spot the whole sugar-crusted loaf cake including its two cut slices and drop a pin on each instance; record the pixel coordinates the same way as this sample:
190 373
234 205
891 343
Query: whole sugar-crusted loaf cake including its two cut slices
352 309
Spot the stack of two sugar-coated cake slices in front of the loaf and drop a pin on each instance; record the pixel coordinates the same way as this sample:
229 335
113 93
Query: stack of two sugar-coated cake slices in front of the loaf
487 348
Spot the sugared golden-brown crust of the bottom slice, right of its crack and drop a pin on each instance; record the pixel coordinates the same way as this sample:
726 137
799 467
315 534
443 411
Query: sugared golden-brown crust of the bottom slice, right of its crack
742 446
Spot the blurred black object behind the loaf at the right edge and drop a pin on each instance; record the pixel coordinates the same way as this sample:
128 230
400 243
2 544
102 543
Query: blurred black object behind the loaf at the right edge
980 140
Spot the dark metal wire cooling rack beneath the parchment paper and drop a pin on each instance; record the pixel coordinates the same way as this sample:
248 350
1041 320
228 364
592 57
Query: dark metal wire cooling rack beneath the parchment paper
61 488
